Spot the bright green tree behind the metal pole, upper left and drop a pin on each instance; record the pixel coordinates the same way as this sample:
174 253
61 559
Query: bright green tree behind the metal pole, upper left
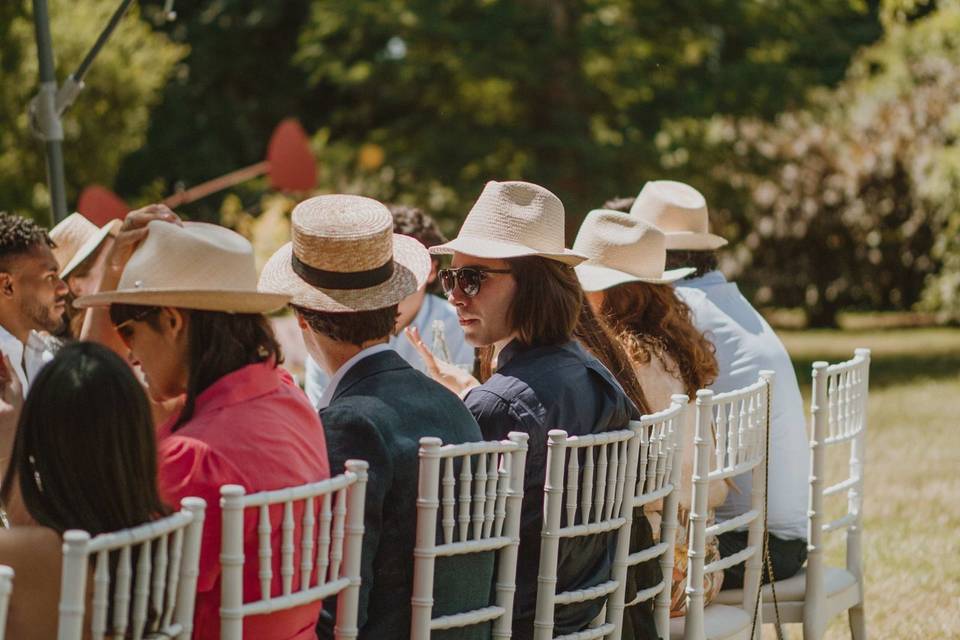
110 117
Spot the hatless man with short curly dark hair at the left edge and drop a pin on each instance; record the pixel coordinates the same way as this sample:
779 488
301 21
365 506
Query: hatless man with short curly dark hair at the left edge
33 298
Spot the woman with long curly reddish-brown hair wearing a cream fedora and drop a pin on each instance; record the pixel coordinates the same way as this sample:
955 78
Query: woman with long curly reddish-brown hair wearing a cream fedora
627 286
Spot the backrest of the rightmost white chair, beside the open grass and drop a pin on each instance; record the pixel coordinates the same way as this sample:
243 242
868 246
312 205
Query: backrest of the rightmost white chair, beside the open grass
839 416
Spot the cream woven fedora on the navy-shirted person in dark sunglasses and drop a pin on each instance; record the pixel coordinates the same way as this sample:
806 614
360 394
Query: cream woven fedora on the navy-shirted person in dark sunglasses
511 220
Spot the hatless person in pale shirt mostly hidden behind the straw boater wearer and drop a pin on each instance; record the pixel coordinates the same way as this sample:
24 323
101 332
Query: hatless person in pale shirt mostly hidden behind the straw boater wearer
433 318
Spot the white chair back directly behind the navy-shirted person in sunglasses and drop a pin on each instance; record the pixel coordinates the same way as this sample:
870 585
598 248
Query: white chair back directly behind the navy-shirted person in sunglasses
589 491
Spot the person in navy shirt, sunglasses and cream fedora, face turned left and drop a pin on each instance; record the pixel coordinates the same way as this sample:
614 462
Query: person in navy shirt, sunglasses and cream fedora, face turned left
518 298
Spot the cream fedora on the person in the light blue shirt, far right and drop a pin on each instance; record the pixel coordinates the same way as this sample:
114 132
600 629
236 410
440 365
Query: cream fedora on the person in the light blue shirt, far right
680 211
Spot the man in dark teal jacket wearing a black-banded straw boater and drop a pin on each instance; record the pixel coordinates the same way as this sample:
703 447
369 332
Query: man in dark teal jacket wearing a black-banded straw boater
346 271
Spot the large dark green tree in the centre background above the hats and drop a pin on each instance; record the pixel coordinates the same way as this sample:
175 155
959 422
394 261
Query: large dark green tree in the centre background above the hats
568 93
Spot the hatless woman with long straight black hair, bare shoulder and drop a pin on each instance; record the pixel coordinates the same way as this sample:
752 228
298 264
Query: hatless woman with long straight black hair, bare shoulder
83 457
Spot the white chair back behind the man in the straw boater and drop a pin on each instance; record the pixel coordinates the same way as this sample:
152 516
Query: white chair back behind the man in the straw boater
480 488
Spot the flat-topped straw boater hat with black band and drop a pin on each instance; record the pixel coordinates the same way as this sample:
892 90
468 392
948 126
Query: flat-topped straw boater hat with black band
345 257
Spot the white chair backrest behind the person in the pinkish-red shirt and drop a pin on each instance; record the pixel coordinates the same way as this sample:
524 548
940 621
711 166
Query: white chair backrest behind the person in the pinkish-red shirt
329 538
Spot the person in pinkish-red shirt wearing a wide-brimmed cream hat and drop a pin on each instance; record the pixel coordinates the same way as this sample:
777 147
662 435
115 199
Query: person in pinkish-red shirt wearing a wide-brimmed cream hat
181 301
